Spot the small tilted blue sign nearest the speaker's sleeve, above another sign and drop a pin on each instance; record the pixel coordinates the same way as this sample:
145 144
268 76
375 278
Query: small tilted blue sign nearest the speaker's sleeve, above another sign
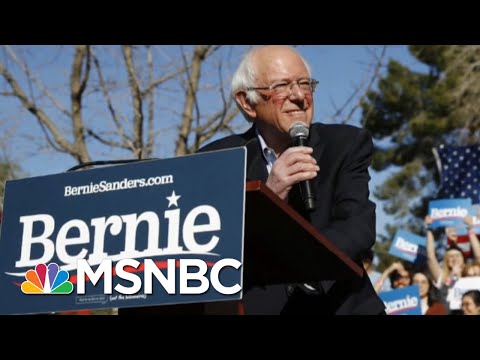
409 246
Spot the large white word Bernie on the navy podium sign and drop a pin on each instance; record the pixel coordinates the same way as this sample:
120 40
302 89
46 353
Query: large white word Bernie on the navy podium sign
99 227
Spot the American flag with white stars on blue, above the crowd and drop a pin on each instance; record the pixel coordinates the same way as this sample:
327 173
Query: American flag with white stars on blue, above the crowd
459 168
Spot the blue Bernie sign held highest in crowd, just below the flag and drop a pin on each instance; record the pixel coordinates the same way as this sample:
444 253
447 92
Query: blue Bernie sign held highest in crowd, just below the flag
449 212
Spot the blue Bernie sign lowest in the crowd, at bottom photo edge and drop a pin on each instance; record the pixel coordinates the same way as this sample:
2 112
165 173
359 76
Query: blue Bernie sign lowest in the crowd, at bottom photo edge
403 301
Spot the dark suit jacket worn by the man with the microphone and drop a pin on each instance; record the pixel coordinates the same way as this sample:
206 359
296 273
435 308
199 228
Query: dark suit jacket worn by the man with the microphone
343 214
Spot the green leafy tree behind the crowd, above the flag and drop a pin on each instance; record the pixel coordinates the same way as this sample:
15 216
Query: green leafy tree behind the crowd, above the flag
412 112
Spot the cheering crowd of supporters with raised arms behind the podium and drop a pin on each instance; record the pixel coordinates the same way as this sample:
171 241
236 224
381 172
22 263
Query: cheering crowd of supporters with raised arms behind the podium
436 277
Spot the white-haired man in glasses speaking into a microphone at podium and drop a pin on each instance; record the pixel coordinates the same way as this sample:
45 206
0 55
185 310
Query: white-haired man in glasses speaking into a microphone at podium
273 88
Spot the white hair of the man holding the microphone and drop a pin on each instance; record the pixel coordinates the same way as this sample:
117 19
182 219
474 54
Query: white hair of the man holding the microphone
246 76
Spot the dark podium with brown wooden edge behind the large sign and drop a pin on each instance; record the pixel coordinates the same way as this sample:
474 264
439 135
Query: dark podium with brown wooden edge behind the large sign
280 247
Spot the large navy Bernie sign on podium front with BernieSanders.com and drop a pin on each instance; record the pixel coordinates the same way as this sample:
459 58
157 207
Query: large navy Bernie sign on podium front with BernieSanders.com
147 233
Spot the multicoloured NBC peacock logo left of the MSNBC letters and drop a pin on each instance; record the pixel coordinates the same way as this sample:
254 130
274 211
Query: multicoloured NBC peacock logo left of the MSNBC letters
47 280
